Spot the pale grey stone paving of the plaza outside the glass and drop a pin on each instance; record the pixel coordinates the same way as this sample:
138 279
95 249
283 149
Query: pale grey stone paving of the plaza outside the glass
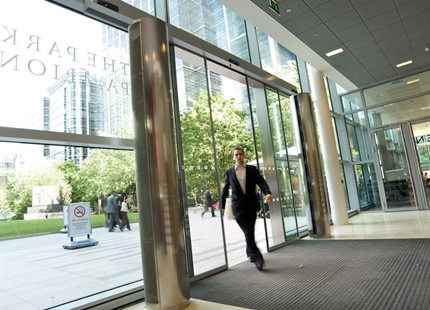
38 273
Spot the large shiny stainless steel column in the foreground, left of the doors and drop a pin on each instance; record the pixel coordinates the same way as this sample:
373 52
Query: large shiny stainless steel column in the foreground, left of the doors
161 230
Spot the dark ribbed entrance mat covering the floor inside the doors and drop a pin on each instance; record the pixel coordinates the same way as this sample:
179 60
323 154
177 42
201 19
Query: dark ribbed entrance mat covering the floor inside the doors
328 274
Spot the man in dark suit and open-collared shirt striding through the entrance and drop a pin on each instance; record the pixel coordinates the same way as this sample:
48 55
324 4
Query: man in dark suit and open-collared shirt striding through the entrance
243 179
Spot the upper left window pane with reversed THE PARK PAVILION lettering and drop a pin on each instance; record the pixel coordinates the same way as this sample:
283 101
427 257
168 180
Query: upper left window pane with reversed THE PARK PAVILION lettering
76 76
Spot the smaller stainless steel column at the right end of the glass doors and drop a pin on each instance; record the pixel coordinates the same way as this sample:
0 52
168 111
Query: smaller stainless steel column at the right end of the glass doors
318 218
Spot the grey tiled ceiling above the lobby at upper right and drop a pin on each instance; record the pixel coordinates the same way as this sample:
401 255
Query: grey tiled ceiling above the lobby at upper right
375 34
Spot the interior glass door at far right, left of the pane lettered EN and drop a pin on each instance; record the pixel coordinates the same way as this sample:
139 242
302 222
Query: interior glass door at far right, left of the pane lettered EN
394 169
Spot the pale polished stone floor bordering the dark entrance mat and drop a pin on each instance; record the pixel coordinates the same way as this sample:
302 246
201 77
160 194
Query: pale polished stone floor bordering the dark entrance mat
367 225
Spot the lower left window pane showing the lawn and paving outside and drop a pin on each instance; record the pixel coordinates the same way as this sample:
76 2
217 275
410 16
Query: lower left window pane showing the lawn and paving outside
36 190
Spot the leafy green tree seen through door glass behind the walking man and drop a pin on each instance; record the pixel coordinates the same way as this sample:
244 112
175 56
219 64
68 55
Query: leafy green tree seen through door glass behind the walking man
230 130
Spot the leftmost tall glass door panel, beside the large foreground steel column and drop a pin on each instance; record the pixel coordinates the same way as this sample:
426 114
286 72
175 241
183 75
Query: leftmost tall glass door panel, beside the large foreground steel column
205 247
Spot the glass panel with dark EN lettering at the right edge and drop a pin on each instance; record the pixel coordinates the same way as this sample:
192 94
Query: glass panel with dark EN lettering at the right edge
421 134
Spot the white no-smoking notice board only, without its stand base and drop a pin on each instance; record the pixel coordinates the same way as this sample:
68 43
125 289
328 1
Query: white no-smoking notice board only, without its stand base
79 219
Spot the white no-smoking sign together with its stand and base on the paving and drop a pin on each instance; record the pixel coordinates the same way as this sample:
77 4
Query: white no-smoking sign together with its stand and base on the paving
79 224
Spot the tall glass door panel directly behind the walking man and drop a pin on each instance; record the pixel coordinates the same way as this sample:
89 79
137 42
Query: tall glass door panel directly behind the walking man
232 124
